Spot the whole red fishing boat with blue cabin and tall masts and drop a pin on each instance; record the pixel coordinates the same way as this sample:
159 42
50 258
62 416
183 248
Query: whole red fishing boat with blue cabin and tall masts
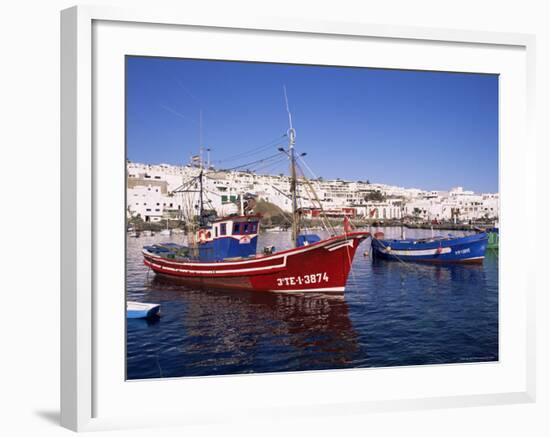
223 254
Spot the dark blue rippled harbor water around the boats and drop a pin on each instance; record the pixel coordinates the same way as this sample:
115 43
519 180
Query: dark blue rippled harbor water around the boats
391 314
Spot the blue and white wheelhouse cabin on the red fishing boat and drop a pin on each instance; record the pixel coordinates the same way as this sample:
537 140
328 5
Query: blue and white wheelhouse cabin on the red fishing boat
229 237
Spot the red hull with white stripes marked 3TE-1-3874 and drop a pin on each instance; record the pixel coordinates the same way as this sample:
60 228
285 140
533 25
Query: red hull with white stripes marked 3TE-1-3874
322 266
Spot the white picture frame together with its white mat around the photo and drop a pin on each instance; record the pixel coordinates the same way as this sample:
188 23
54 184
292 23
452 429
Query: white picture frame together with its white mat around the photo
94 395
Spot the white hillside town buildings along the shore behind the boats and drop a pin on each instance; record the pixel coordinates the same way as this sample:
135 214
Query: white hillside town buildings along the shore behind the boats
154 194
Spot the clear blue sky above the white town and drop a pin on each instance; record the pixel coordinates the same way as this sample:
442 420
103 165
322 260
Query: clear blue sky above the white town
429 130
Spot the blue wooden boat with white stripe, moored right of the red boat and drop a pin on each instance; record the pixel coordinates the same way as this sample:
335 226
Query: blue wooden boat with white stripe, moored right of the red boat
470 249
